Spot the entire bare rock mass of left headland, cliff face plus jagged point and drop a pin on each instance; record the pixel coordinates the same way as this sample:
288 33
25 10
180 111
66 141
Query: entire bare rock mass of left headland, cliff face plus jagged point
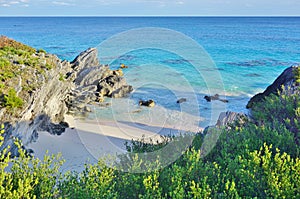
64 87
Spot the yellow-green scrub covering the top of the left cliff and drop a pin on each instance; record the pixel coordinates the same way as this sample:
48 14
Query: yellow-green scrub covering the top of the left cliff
18 61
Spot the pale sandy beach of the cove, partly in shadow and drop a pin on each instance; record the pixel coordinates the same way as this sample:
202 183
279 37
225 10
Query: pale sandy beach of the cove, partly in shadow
88 140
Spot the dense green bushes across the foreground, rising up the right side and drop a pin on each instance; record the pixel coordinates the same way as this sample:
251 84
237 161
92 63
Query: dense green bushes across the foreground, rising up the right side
256 159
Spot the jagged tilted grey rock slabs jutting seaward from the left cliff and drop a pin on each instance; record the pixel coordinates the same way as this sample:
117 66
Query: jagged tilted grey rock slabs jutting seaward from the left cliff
93 82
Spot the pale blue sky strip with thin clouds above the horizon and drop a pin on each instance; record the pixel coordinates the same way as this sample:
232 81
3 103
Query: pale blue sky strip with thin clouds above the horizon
149 7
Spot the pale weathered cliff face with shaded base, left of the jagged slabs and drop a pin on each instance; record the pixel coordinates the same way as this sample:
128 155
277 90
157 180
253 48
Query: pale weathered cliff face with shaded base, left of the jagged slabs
43 109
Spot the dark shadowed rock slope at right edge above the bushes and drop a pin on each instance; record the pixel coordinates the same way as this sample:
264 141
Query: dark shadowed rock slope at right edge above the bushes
285 81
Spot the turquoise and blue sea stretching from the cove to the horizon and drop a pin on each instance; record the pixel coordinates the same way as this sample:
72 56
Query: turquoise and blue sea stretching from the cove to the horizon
248 53
